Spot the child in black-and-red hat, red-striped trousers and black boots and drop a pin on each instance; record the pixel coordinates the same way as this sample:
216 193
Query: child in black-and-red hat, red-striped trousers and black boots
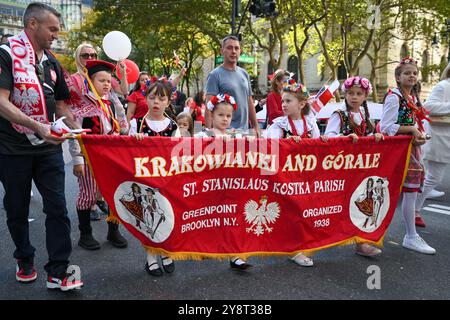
98 114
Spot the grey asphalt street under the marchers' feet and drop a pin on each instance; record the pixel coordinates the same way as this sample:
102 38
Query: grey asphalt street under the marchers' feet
111 273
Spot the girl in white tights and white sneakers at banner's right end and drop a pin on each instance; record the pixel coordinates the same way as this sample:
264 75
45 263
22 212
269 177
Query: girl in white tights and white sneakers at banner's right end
403 114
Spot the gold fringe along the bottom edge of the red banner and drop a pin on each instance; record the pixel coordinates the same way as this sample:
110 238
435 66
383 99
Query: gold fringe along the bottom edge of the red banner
224 256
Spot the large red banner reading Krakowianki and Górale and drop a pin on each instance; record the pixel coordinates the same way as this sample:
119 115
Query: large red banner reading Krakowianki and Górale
193 198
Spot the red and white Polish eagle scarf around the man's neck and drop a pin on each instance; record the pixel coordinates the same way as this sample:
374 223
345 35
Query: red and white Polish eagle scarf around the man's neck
27 94
